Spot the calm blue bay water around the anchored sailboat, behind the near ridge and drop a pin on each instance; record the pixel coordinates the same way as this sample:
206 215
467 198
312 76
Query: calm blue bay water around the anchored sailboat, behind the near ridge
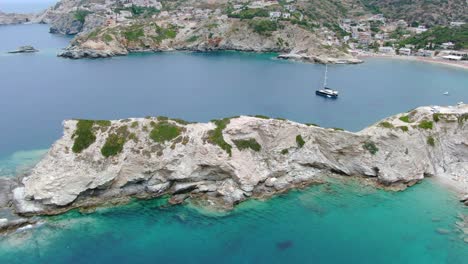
40 90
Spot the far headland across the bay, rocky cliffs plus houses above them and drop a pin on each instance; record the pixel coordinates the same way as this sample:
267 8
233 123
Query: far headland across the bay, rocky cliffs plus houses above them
112 28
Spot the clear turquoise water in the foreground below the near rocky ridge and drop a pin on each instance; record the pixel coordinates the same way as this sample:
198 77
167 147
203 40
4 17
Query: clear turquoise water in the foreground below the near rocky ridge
341 223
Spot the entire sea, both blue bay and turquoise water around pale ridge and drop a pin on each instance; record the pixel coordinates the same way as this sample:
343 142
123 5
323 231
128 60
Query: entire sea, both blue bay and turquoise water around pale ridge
340 223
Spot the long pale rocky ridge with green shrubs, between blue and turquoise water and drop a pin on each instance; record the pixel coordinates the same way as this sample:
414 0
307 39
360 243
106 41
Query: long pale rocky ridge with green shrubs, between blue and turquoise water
230 160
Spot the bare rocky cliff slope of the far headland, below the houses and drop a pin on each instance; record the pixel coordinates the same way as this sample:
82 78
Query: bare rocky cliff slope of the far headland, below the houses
208 35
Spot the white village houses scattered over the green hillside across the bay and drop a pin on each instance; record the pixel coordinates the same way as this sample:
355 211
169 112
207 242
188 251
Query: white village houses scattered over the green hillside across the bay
363 35
